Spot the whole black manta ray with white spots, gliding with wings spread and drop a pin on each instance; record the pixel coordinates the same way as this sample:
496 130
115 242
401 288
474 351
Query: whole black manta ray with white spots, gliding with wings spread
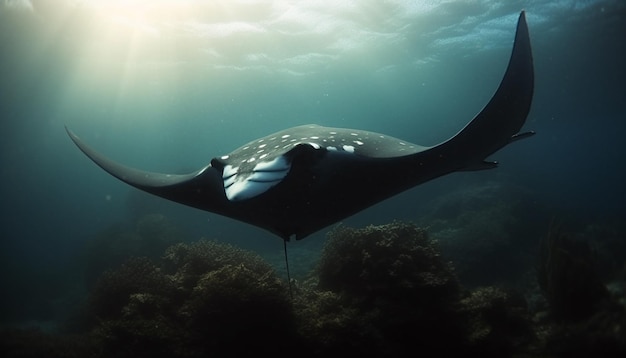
302 179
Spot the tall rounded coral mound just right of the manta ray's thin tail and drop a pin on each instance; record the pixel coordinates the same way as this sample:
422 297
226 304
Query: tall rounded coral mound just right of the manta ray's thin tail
380 290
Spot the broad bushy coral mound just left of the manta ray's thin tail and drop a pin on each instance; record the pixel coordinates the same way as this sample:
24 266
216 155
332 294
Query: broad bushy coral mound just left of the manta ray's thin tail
203 298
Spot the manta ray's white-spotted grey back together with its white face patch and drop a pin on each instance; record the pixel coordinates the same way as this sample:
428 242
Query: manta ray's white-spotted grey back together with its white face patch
261 164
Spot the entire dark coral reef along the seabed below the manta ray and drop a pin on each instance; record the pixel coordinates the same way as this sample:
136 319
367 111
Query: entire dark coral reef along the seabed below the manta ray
376 291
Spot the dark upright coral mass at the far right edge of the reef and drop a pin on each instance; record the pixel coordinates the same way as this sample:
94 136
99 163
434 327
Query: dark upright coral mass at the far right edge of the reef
585 319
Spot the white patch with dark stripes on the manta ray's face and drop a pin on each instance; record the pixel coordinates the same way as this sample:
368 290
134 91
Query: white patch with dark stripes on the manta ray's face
241 185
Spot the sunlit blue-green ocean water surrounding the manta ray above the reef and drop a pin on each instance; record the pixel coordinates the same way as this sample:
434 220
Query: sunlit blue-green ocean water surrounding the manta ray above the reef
166 87
